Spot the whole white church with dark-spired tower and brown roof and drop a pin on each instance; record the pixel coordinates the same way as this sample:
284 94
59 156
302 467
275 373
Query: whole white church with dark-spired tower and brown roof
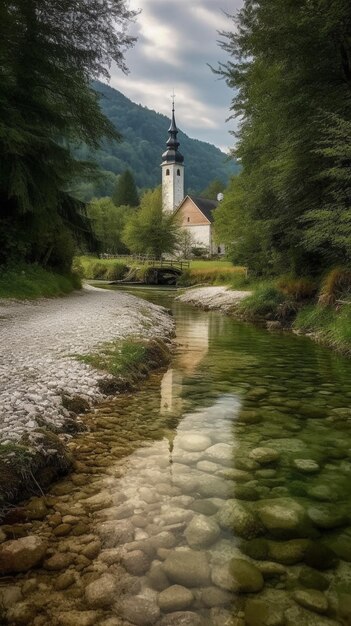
196 215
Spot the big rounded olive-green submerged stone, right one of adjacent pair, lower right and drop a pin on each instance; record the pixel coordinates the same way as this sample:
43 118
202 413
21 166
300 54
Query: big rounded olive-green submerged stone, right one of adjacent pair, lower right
281 515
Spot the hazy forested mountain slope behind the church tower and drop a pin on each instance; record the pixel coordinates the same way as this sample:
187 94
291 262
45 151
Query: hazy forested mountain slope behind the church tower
144 139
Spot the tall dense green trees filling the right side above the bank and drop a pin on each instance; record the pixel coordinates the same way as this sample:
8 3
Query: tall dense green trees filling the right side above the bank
290 64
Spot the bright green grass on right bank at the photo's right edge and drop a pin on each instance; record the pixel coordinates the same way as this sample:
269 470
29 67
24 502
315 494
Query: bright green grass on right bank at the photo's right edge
330 326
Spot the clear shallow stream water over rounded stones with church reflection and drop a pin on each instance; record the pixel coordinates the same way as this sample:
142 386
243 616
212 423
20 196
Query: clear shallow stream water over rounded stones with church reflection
233 504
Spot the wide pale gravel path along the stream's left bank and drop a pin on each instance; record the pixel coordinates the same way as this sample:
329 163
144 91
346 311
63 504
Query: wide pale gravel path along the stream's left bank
38 341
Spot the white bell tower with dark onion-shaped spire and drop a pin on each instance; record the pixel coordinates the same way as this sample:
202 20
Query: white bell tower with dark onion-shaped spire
172 170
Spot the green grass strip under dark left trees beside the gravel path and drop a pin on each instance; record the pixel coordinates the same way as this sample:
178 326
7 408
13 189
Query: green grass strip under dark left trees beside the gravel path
28 282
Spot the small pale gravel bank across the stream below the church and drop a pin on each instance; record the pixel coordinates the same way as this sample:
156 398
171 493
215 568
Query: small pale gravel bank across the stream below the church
214 298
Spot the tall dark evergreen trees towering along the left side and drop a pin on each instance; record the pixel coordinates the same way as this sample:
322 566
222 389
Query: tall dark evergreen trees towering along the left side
49 53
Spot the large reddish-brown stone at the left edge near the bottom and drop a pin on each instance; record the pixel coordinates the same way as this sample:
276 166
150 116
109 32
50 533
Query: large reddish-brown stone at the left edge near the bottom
20 555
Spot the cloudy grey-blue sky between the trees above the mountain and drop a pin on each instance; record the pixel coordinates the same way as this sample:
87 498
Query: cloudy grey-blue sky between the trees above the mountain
176 42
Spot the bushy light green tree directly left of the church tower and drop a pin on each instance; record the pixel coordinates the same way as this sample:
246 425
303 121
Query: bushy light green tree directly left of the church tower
151 231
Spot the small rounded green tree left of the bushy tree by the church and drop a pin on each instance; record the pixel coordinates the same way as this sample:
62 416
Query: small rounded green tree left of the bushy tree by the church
107 222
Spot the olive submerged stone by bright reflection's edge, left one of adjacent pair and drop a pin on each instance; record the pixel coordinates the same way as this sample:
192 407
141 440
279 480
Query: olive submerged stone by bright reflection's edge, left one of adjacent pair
234 516
